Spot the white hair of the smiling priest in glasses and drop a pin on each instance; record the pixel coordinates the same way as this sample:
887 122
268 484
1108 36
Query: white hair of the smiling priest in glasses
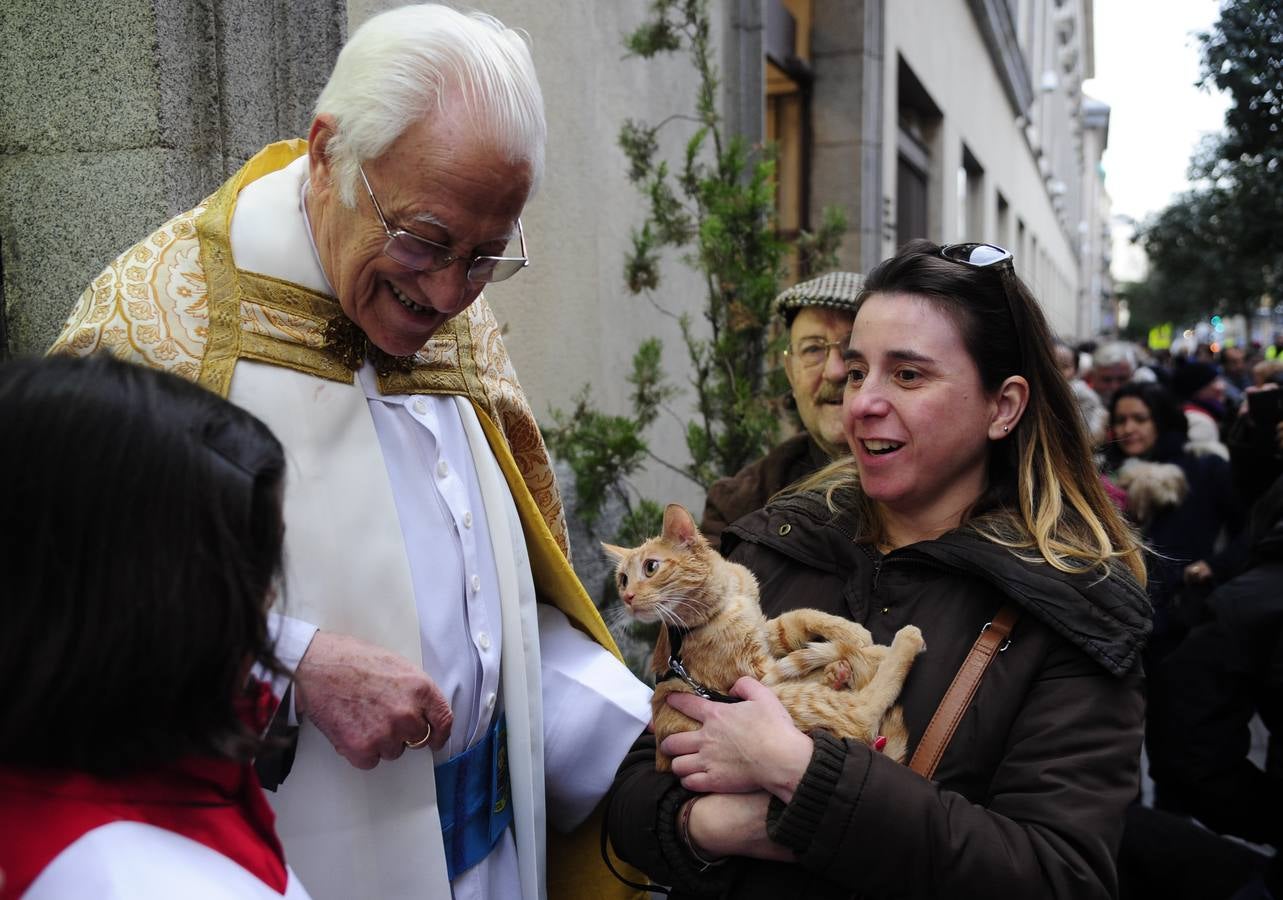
401 66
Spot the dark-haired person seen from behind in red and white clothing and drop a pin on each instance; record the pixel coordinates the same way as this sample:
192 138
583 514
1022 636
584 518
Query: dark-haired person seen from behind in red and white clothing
129 717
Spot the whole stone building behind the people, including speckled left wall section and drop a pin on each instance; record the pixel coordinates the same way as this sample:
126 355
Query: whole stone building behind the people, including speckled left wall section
950 120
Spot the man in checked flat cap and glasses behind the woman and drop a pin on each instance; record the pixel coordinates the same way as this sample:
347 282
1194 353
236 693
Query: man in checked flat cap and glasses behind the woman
819 315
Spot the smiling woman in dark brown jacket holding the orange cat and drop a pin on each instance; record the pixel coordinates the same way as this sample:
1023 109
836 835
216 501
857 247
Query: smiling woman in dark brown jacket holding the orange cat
971 490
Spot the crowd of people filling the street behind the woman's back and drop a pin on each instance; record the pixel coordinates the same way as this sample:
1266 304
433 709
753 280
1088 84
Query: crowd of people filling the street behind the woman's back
1198 465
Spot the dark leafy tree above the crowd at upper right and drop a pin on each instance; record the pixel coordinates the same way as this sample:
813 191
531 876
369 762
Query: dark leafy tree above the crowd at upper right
1219 248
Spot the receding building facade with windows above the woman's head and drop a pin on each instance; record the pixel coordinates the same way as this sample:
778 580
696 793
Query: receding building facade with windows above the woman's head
959 120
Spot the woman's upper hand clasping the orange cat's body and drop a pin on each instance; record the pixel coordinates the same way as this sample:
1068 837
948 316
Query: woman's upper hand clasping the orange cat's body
742 748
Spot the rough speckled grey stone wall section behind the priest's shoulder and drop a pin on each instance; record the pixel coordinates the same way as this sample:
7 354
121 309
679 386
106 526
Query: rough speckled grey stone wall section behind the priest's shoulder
119 116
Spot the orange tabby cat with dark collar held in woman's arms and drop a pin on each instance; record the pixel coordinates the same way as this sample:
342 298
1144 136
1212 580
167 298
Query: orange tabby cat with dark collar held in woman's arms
827 671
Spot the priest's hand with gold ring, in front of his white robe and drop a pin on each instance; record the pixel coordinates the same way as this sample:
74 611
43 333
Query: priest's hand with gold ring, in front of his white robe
368 700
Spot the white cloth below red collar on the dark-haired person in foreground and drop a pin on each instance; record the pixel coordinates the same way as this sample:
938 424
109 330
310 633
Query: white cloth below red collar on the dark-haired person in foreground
132 861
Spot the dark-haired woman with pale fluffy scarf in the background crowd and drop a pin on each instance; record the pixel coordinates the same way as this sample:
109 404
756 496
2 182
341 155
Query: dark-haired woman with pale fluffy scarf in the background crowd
1181 495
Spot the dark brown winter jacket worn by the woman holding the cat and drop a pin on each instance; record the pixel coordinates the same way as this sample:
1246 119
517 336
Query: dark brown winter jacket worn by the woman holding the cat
1028 800
